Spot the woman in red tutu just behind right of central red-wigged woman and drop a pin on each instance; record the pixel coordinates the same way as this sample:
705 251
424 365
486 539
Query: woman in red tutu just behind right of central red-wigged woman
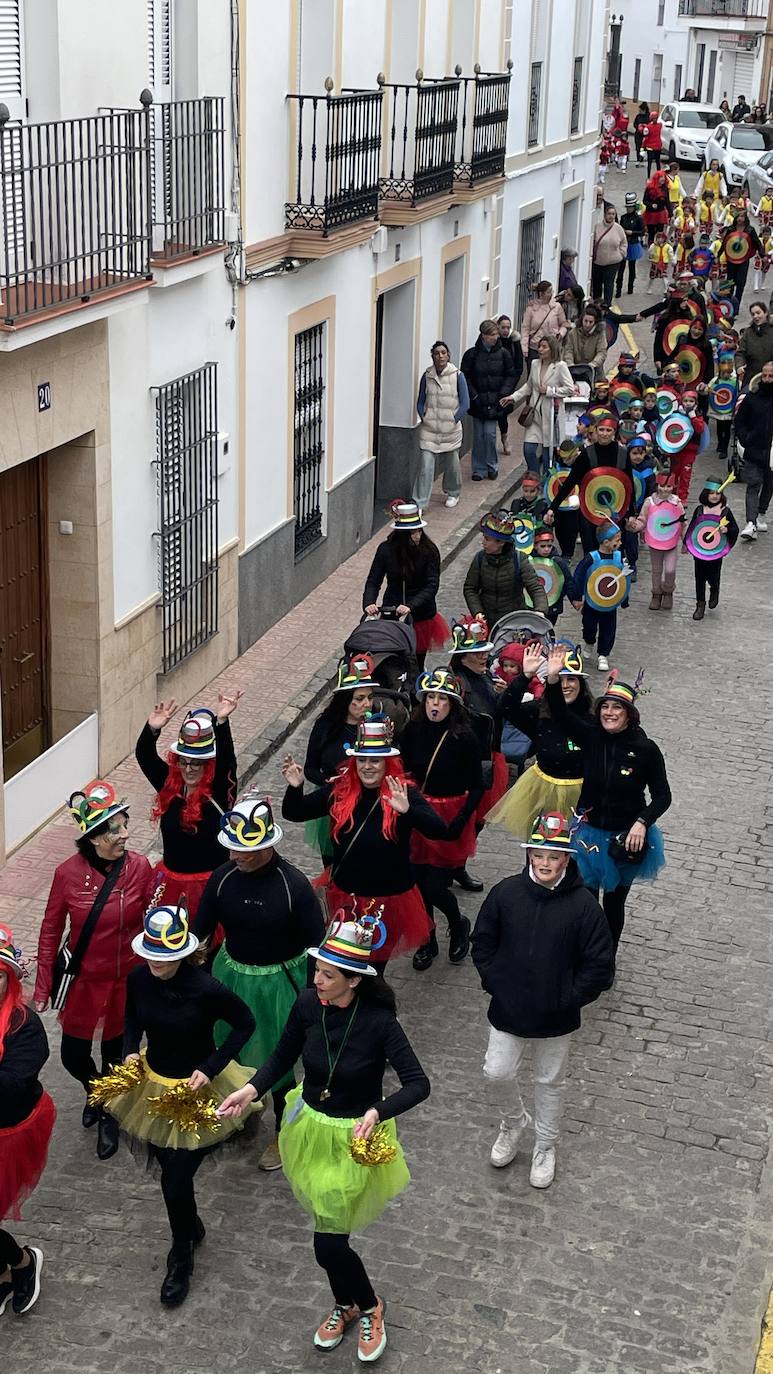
443 755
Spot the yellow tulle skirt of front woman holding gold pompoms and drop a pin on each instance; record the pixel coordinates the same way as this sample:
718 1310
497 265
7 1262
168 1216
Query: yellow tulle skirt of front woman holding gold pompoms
131 1111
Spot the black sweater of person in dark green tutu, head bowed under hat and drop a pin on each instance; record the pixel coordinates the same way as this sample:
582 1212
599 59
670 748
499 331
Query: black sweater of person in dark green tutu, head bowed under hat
268 917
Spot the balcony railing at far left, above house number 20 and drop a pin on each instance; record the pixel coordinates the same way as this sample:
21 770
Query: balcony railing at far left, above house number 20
75 210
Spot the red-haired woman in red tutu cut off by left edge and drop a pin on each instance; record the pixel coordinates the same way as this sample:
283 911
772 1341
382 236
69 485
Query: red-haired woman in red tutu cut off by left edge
27 1122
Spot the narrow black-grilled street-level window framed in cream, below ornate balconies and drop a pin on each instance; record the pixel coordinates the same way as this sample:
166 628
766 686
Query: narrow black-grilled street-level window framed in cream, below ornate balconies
310 438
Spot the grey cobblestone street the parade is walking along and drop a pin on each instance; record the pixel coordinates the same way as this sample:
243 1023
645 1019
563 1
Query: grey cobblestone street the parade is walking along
651 1252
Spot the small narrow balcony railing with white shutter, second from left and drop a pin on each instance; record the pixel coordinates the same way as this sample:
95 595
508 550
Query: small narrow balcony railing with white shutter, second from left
189 178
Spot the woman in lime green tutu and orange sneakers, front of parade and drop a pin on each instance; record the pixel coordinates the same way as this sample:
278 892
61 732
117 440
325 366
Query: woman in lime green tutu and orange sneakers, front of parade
347 1033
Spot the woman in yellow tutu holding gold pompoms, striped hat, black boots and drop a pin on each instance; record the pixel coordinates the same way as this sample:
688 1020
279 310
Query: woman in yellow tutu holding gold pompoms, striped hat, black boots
176 1006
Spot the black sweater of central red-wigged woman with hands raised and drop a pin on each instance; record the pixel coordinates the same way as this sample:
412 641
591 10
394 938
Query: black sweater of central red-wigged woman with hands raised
371 866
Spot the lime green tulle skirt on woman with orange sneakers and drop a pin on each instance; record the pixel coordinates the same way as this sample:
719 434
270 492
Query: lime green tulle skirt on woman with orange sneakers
338 1193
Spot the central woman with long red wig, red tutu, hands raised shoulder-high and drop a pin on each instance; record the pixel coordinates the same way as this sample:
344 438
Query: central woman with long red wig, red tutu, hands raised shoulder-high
374 813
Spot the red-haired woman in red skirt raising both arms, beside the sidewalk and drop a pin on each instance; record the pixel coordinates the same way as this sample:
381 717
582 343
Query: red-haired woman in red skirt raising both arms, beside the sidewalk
196 784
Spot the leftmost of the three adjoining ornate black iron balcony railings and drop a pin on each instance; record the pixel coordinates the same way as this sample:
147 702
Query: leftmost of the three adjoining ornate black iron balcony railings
337 152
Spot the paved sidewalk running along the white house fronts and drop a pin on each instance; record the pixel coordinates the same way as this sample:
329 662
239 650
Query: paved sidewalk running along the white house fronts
285 675
